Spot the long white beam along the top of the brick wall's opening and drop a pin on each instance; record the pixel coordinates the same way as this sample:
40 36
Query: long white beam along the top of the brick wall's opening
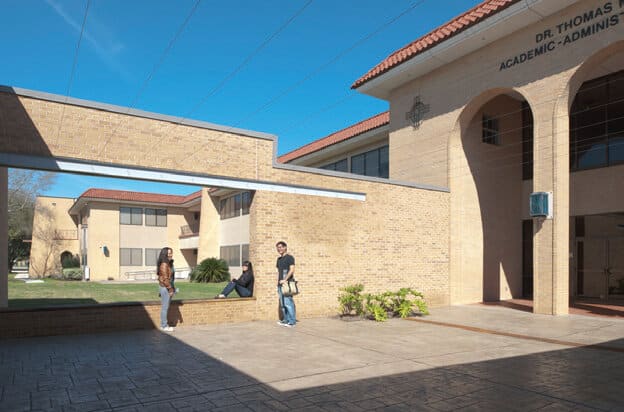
97 169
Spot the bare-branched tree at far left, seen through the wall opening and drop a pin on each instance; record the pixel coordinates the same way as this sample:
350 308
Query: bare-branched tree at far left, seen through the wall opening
24 187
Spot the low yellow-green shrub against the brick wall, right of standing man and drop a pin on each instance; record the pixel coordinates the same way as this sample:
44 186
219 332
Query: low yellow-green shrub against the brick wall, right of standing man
402 303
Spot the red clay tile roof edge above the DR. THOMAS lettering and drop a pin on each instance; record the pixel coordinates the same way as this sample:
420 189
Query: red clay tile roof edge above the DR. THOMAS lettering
464 21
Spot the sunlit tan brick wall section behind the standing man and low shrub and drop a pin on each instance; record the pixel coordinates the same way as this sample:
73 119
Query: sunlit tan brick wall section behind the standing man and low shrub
342 242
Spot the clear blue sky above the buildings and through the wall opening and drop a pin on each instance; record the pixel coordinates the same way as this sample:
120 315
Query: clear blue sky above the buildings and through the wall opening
283 67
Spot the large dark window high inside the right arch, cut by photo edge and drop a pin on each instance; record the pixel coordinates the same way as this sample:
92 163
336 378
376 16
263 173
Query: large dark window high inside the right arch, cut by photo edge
597 124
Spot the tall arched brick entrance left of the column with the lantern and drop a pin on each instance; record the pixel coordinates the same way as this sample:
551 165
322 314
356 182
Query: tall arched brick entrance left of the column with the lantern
490 172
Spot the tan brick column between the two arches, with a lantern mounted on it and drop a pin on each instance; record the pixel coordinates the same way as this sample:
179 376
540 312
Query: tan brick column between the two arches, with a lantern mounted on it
550 236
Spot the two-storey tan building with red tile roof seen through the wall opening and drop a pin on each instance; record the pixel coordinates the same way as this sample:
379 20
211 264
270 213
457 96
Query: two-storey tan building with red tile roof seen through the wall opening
117 235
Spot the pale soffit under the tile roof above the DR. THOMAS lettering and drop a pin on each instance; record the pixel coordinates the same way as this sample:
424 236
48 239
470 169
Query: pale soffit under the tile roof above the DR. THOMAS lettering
504 23
